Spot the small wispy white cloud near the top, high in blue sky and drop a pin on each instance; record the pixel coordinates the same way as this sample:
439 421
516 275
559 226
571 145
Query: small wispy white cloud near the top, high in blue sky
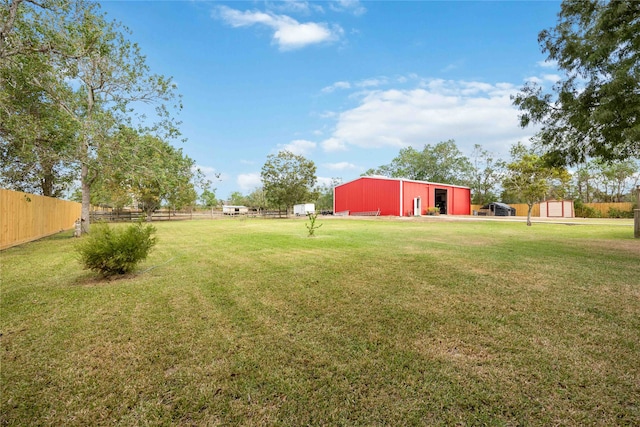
288 33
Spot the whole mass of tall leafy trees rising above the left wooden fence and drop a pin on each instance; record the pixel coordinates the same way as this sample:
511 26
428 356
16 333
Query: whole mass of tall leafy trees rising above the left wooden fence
72 86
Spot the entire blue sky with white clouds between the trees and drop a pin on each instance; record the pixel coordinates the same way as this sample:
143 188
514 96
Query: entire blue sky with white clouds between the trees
346 83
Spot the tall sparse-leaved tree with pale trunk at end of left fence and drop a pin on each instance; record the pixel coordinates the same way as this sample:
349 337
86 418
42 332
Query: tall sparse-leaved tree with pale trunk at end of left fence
107 77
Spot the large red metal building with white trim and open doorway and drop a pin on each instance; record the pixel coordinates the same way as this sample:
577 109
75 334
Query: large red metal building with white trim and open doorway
369 195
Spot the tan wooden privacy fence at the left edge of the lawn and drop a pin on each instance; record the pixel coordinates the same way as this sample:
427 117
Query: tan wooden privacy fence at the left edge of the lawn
26 217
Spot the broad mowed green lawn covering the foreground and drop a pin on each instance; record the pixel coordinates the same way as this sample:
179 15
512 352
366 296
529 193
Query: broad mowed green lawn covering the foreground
373 322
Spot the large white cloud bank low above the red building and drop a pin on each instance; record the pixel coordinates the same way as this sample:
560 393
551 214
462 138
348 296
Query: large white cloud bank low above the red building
436 110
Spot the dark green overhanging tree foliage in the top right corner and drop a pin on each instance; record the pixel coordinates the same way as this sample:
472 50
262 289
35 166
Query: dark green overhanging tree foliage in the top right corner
594 110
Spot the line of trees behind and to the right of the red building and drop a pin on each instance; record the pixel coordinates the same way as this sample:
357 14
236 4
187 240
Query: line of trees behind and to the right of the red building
492 179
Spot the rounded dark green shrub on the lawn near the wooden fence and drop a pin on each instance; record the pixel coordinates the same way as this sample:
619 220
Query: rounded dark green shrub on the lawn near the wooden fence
116 250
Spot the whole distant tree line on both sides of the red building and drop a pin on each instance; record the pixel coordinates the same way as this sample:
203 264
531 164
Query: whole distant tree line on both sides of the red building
526 177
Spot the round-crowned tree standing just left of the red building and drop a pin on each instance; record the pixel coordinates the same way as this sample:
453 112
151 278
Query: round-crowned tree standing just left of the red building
288 179
